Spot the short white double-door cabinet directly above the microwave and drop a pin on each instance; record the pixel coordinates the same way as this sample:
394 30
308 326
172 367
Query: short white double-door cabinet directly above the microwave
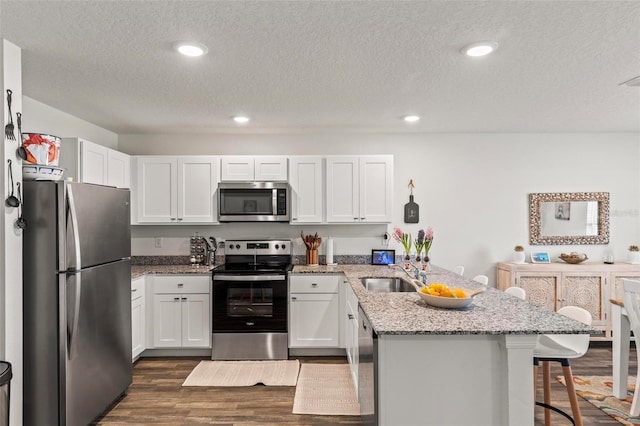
243 168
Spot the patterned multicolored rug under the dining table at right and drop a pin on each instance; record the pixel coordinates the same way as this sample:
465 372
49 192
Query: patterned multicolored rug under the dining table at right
598 390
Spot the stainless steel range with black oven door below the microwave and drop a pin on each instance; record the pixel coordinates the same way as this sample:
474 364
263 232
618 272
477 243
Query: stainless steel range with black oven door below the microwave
250 301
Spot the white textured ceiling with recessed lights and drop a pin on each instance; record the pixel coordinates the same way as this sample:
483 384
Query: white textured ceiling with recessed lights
333 65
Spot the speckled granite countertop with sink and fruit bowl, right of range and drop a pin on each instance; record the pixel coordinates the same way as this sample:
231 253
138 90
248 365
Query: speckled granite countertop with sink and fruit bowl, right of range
491 313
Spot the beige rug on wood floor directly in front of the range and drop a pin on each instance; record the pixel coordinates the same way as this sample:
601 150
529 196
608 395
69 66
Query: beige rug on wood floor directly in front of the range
244 373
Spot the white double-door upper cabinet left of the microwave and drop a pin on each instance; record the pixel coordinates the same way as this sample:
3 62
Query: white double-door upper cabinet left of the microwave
176 189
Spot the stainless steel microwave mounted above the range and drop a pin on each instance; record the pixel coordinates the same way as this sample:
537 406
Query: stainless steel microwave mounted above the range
254 202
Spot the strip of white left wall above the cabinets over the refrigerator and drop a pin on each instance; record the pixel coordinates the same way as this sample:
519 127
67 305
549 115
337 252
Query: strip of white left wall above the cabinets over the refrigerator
40 118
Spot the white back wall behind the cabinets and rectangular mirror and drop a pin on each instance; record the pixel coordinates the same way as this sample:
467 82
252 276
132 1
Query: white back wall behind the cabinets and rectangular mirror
471 188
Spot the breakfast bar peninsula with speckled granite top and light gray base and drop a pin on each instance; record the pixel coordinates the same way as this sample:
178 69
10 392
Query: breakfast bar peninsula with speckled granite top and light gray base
434 366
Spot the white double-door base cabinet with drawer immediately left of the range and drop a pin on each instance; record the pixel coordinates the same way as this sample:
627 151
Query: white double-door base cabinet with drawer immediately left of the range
181 311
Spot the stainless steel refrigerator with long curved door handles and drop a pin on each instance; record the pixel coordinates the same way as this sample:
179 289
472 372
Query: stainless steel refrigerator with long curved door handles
77 301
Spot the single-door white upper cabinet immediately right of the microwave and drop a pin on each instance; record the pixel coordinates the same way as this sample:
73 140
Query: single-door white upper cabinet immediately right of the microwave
305 178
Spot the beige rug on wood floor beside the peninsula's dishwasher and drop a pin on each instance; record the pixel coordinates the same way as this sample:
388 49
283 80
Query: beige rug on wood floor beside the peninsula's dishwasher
326 389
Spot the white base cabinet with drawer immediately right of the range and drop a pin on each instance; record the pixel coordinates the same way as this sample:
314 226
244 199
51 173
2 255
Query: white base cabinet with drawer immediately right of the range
314 311
